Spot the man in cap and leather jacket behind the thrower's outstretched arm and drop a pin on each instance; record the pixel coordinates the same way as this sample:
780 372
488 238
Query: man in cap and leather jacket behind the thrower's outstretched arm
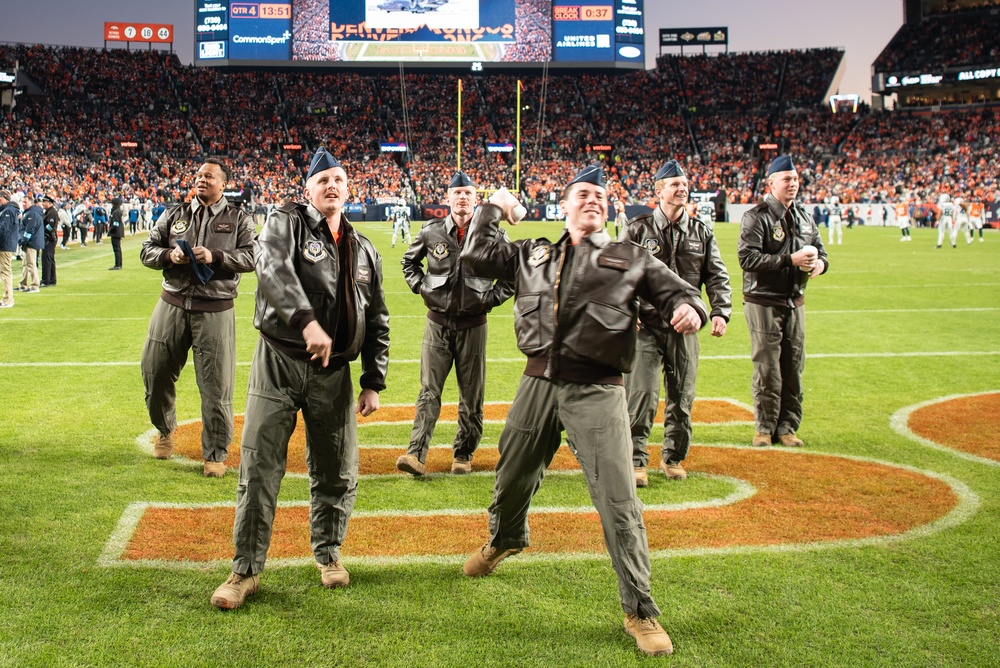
688 247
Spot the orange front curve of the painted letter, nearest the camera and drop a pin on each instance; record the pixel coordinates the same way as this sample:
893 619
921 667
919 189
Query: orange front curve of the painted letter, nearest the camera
800 499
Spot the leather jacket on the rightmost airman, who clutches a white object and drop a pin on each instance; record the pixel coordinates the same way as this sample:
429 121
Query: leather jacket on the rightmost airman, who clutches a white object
769 234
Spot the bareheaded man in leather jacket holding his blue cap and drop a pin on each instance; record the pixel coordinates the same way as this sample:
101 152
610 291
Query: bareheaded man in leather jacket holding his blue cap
195 312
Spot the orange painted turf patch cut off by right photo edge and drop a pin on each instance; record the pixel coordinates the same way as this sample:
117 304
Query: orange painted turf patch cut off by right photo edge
969 424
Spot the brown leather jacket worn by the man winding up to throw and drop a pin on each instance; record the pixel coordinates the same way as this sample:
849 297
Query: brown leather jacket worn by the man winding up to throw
589 336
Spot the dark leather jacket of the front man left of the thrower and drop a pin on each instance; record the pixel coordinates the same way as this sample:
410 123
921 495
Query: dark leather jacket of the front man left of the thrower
294 289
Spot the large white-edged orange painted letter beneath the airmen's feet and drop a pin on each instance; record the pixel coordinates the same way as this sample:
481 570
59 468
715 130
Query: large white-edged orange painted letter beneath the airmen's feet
780 498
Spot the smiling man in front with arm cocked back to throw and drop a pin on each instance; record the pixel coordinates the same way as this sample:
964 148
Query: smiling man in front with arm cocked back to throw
575 314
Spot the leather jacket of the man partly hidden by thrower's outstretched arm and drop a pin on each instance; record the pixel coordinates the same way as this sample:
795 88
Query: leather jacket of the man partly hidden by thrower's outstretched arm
690 250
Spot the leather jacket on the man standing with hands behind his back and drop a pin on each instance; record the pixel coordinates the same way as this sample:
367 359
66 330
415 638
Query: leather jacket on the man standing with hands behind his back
456 298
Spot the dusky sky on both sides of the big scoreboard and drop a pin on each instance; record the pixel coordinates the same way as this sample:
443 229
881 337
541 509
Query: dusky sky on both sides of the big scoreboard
862 27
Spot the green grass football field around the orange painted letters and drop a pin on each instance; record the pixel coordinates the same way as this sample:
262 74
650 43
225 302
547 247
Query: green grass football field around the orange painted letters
891 325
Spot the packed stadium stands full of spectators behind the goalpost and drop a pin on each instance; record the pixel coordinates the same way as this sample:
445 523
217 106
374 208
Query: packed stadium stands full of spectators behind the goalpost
136 124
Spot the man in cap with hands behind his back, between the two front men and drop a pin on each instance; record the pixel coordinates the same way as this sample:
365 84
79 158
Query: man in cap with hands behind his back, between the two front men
455 334
